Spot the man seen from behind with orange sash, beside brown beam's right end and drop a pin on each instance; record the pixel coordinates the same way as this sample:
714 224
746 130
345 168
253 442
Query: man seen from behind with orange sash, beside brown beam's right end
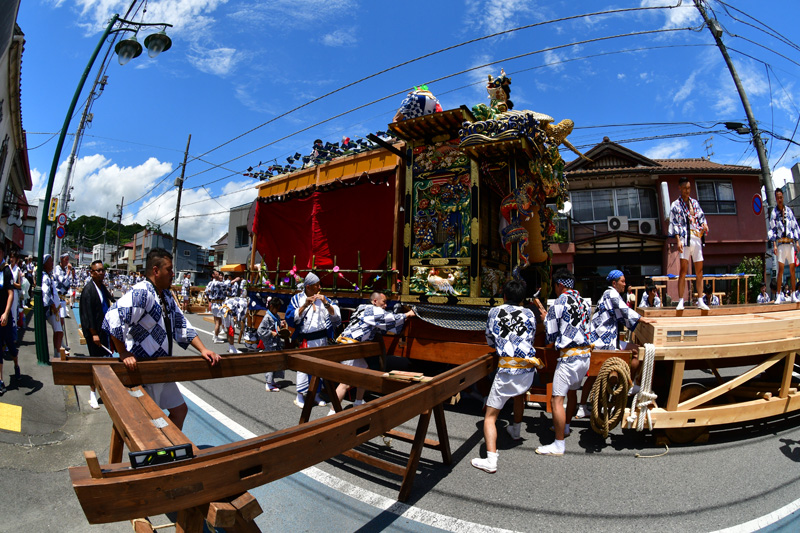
510 330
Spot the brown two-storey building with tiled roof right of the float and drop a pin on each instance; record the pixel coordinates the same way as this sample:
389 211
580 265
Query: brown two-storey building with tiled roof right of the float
620 216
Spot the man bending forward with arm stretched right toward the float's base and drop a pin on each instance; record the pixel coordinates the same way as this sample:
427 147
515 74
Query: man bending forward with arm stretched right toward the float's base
368 320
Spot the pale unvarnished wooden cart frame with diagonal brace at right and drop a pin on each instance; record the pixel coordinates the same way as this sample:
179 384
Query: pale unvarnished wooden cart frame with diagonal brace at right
758 343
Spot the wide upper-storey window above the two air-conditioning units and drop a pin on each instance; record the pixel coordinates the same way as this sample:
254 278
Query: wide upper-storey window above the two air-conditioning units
599 204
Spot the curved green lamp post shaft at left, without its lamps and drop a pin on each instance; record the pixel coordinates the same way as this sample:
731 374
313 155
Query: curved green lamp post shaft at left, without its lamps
40 325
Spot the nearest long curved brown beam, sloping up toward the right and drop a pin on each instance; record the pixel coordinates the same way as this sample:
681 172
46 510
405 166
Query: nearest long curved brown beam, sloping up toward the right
217 473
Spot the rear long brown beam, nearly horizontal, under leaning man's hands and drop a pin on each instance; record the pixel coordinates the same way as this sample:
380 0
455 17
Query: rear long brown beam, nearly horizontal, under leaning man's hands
78 370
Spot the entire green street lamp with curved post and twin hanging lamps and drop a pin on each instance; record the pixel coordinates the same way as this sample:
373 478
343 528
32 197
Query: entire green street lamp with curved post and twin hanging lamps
126 50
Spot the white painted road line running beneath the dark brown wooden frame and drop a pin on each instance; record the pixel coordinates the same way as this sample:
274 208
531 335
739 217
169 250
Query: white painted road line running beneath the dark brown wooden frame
428 518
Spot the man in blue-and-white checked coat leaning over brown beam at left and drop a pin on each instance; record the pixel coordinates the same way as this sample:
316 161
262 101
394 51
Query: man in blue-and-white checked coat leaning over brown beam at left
149 312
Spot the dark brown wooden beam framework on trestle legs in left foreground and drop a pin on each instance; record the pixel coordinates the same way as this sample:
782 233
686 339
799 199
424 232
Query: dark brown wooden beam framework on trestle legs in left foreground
211 485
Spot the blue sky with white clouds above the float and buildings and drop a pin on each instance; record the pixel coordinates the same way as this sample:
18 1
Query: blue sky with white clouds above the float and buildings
235 66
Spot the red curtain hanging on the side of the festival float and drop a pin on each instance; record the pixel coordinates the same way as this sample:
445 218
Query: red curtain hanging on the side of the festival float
338 223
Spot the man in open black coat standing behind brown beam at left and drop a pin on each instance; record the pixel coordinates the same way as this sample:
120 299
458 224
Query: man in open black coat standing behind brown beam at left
95 302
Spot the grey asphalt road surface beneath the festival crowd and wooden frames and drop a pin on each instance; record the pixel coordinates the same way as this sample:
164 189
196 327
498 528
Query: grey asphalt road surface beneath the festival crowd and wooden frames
739 475
